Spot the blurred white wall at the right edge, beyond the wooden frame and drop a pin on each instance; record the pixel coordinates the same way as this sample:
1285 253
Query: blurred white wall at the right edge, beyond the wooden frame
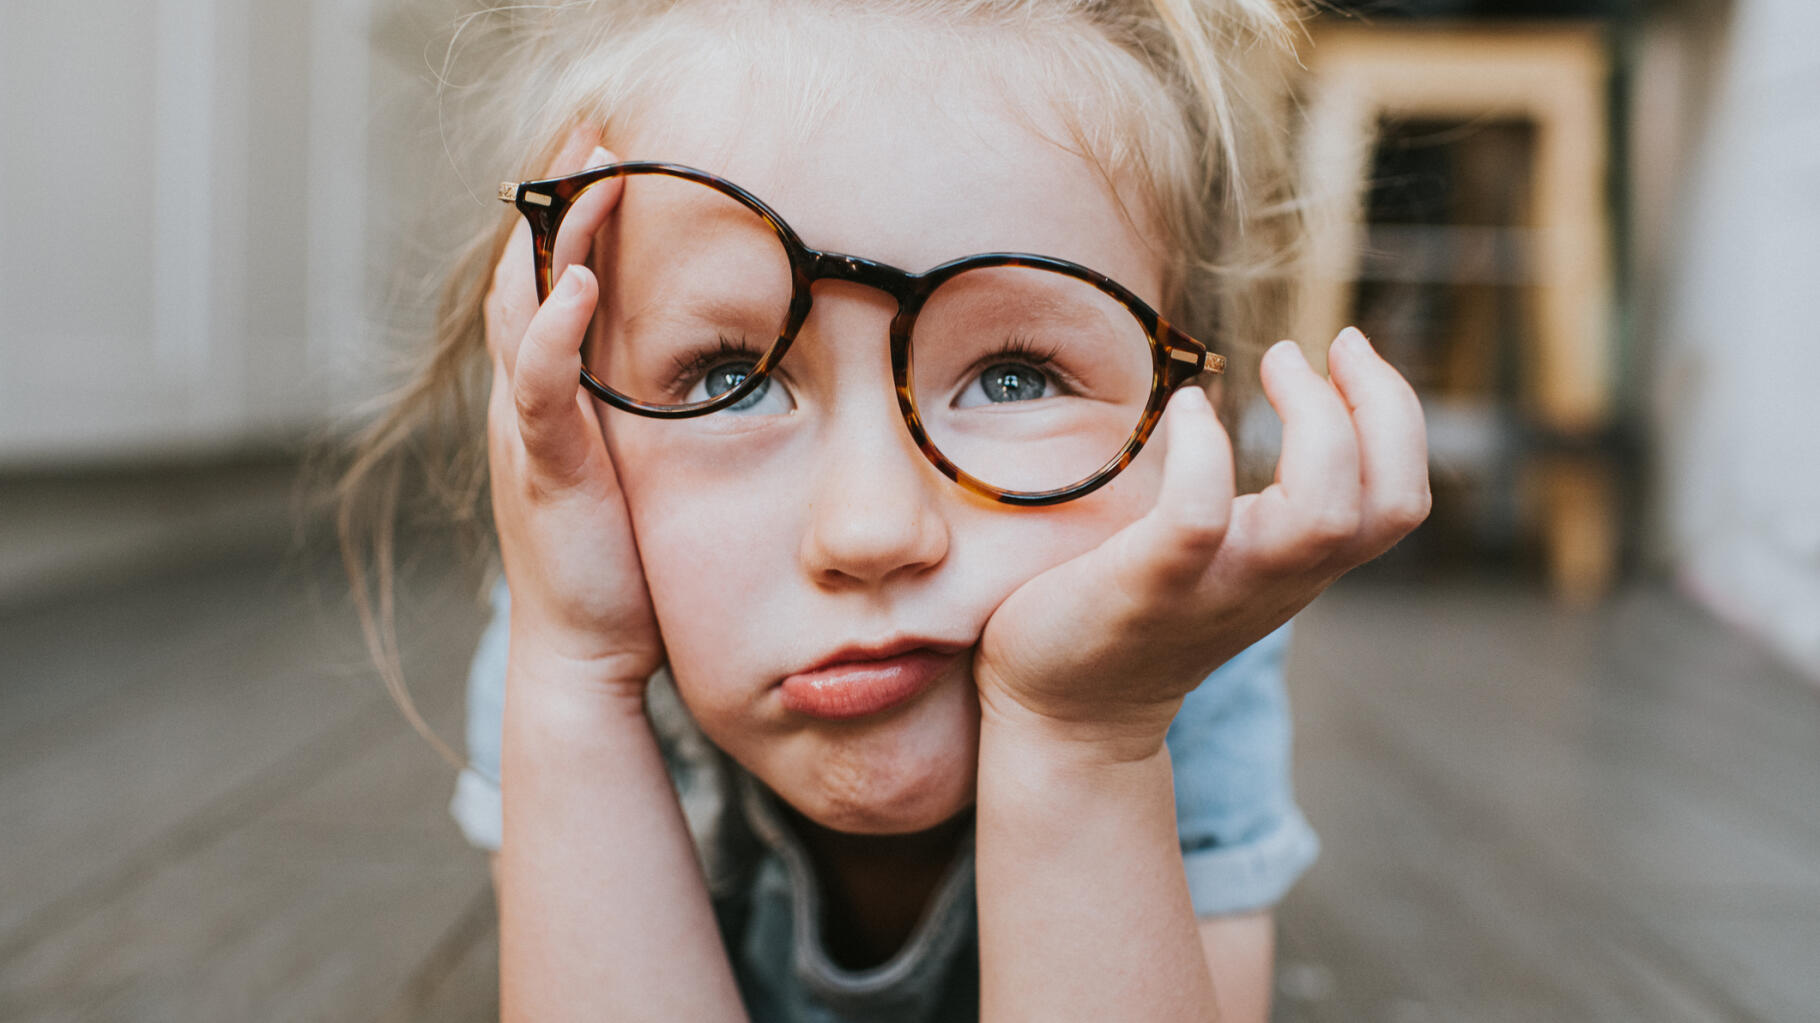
1737 323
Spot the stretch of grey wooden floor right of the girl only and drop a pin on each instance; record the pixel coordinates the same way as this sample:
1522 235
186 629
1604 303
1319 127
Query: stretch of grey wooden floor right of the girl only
1528 807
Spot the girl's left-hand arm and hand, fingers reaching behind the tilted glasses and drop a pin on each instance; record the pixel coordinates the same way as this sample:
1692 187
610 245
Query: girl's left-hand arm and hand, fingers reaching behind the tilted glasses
603 907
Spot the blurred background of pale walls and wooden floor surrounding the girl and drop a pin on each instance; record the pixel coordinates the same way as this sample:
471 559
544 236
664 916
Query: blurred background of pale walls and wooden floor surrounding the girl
1562 745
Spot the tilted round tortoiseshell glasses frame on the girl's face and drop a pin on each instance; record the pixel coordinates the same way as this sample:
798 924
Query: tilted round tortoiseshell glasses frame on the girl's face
1175 356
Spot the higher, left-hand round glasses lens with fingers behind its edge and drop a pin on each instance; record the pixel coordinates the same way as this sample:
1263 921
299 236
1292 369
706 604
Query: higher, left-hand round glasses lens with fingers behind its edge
694 289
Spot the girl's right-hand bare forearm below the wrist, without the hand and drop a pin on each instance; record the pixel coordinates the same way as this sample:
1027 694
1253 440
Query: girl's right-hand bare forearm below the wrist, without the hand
1084 904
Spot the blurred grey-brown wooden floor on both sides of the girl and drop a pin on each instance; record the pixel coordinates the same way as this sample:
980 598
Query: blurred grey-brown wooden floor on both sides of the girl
210 811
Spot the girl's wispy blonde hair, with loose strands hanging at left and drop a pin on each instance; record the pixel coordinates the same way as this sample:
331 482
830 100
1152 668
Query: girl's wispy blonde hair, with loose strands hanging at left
1180 101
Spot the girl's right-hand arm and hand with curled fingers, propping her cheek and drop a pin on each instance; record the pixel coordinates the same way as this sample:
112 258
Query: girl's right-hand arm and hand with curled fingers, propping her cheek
1084 900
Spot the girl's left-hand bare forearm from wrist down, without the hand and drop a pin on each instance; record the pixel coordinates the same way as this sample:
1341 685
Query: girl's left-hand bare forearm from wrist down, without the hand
603 907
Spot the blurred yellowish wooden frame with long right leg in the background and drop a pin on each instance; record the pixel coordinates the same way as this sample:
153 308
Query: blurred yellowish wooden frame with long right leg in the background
1555 79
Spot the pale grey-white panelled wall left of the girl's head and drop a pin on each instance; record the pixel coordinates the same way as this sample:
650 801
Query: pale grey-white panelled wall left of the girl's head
183 241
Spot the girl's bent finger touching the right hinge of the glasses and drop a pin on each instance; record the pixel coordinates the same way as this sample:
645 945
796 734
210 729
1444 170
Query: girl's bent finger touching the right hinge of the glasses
1180 536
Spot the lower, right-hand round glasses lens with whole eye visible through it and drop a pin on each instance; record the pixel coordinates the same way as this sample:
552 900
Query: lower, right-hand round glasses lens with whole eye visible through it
1029 380
